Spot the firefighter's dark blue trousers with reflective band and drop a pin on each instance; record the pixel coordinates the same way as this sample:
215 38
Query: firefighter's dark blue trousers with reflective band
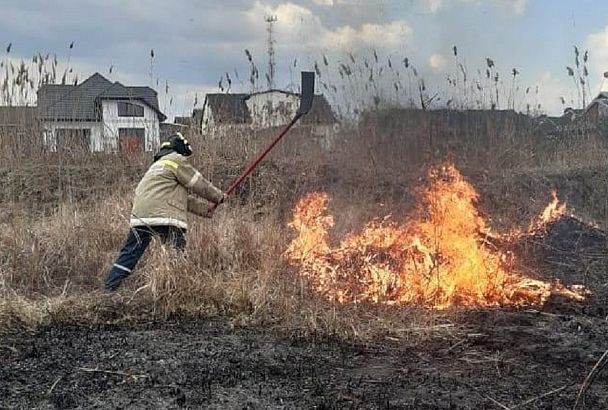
134 247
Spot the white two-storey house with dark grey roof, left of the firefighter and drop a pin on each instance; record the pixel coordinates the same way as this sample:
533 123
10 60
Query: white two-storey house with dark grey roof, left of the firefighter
99 115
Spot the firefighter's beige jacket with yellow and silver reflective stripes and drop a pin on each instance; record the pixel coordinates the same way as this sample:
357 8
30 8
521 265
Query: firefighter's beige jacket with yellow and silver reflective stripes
161 198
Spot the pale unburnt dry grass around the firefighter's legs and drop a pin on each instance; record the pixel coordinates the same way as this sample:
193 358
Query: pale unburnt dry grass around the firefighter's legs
233 267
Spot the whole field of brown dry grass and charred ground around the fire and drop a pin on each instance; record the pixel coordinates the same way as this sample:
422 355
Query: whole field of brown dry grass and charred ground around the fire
232 325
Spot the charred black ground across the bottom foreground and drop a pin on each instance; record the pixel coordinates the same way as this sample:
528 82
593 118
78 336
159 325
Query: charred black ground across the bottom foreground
495 357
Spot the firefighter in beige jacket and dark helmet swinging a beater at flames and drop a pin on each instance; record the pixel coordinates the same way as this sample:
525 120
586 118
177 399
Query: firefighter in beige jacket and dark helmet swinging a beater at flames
161 205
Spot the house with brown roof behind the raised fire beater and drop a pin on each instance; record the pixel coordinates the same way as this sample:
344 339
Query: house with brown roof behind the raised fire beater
223 113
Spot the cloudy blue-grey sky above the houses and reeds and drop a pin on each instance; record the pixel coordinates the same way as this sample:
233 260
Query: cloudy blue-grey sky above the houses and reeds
196 42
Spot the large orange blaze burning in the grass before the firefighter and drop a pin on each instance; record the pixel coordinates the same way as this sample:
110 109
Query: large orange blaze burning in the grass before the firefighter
437 258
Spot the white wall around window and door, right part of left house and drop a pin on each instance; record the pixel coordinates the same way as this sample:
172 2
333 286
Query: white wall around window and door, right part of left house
112 122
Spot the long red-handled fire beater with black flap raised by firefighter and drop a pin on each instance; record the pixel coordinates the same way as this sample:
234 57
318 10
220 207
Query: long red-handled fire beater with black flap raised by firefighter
306 98
